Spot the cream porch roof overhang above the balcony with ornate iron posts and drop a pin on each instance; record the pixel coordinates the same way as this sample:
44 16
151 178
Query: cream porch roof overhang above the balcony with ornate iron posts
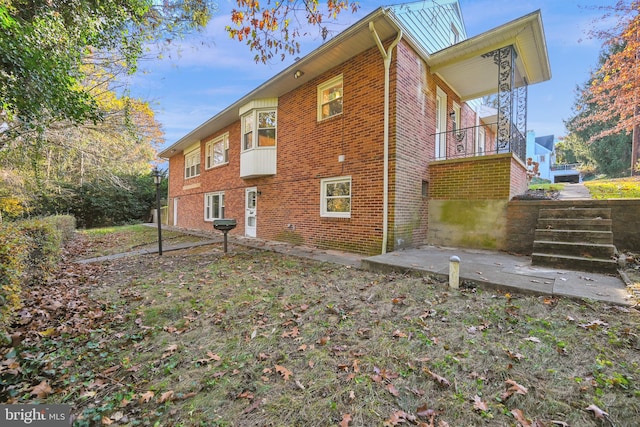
471 73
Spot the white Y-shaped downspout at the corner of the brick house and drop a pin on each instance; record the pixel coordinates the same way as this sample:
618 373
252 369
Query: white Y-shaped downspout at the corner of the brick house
386 56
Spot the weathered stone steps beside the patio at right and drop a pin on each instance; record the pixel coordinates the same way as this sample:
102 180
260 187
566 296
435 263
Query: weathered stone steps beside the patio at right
575 239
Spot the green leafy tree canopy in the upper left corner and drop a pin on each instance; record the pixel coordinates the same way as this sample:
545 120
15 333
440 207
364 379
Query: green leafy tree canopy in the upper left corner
44 44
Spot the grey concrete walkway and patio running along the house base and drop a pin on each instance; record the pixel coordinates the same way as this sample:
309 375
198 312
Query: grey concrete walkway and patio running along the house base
488 269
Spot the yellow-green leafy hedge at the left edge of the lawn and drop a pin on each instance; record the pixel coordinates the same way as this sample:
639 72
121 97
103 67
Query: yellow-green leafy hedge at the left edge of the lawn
29 253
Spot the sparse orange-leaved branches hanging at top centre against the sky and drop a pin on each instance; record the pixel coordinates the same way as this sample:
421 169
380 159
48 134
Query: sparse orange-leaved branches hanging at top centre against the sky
270 31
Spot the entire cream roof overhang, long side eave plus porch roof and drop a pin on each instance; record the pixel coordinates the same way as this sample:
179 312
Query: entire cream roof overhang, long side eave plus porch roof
461 66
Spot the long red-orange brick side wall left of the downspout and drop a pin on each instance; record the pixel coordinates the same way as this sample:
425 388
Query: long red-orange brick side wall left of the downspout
289 204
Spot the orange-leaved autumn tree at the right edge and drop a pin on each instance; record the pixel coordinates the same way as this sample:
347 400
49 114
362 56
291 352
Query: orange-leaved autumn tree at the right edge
613 95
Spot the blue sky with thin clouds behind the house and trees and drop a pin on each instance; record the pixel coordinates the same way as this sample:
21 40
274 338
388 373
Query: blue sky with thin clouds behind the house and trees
207 72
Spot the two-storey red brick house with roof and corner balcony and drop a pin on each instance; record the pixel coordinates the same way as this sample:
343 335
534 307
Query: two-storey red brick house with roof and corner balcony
374 141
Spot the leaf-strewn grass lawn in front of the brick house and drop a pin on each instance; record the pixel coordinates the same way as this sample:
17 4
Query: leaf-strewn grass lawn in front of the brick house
255 338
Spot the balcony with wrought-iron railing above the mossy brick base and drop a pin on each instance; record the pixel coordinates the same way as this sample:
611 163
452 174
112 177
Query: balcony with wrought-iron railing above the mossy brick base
480 140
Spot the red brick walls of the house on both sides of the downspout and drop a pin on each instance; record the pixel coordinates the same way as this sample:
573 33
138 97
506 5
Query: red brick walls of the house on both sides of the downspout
307 151
